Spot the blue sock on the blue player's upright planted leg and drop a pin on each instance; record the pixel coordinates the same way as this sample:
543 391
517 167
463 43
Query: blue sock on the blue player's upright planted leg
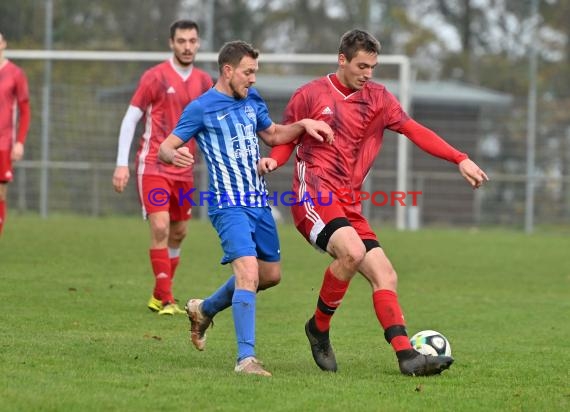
243 308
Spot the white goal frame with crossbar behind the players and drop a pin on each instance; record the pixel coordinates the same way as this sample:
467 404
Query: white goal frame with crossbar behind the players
404 95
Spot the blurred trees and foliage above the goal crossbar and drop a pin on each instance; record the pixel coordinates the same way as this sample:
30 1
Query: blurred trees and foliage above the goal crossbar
482 42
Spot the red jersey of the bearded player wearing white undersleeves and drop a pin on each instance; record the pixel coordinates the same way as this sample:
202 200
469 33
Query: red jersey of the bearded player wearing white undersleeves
162 94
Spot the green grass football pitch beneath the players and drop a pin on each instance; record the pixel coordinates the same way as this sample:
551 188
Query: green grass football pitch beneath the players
76 335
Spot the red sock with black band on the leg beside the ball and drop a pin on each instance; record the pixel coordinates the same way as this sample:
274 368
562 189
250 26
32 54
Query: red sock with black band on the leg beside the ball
390 315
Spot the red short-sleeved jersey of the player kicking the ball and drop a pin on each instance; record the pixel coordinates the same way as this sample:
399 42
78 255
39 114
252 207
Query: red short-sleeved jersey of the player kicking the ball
358 121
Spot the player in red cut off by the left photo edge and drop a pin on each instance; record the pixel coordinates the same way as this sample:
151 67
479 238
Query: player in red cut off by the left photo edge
14 99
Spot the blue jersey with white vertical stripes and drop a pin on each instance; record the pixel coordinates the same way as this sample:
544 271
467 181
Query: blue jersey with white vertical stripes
226 129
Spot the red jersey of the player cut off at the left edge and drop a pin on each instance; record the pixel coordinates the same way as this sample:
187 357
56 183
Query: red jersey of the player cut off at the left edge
13 93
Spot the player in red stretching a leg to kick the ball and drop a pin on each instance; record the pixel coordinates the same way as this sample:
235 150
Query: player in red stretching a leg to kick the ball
358 110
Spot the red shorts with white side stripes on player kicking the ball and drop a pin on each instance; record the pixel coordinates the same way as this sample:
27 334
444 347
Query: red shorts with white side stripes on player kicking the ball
311 218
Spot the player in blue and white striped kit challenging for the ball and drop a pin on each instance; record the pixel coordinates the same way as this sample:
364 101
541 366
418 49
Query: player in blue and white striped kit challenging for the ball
226 122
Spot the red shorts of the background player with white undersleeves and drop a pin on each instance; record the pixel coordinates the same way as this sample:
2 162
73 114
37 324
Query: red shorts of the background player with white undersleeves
161 194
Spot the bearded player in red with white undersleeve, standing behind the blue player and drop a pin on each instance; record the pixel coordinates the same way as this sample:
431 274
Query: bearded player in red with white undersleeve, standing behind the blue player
163 92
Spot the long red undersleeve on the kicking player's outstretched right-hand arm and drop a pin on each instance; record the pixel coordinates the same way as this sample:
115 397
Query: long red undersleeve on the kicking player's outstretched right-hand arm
430 142
